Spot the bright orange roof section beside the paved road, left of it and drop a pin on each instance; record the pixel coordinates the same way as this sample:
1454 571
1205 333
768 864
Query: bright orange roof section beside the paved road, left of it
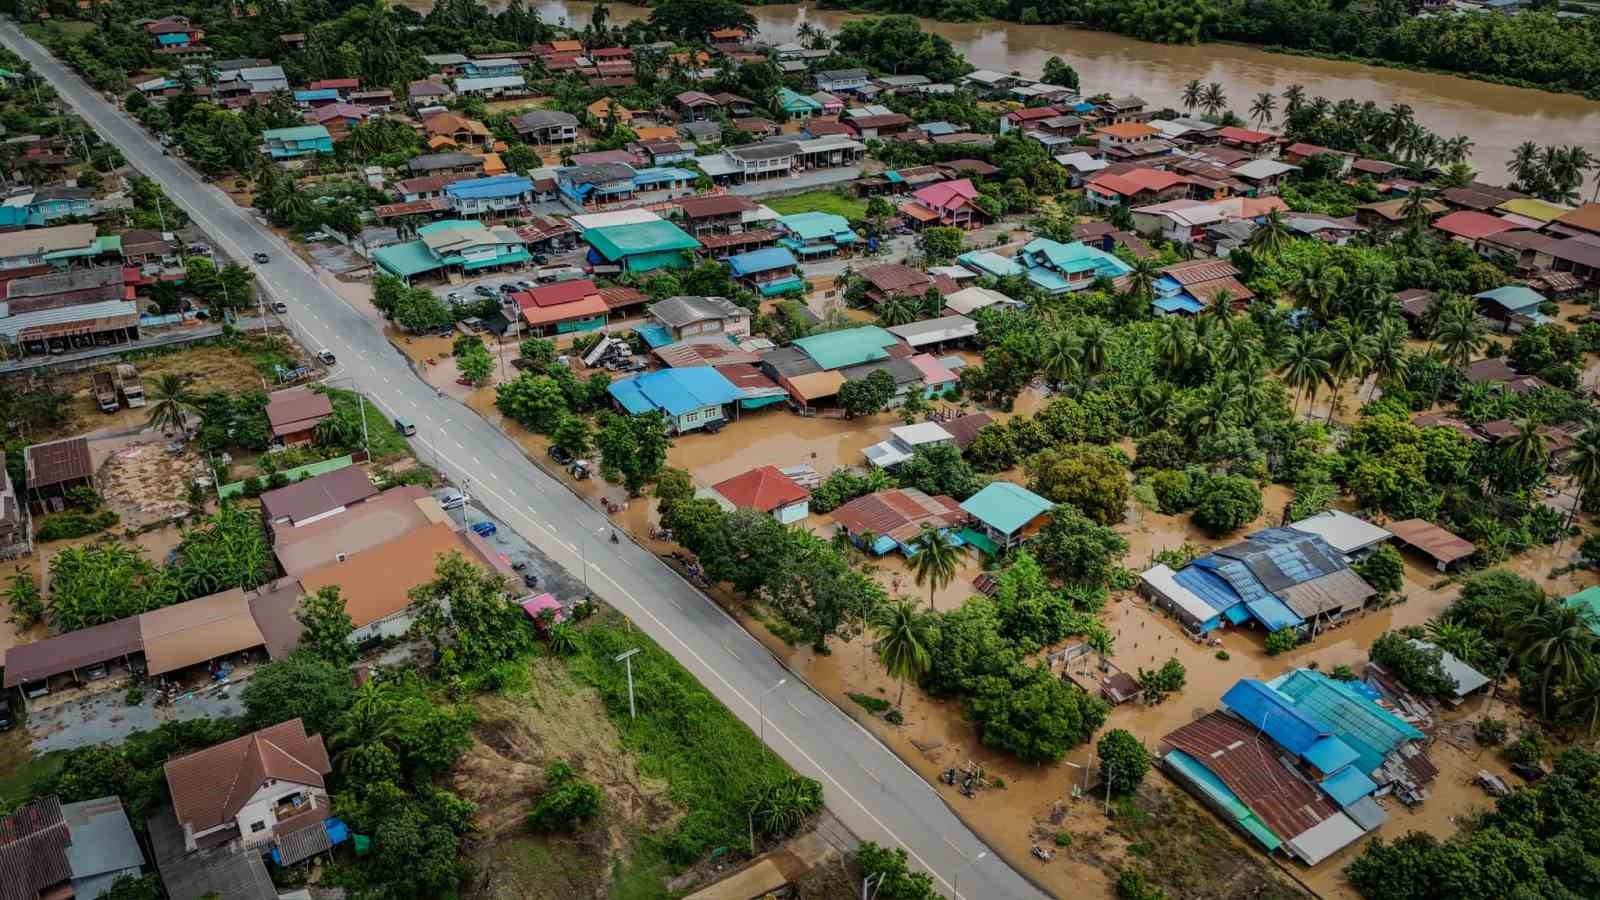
375 582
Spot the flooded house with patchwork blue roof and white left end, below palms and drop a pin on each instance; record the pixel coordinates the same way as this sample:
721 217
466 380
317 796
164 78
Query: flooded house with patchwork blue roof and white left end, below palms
1276 577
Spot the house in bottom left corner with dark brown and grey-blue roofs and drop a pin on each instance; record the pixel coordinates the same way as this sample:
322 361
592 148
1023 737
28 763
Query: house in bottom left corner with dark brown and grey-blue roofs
76 851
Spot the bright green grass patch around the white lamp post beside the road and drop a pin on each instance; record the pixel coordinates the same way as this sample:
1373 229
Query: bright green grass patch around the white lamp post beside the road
684 737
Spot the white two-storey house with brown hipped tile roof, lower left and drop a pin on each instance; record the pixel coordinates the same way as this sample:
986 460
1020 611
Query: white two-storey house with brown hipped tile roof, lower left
247 789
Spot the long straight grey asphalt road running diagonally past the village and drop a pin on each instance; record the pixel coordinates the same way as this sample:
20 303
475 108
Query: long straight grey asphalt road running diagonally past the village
868 787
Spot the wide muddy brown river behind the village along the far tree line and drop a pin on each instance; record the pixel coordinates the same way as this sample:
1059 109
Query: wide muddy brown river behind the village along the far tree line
1497 118
